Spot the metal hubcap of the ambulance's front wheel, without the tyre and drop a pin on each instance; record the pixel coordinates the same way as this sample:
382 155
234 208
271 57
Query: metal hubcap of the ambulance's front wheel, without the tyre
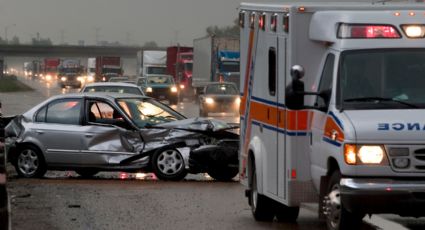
332 206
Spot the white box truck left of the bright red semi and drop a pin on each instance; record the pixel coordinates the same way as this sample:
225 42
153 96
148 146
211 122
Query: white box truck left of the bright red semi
150 61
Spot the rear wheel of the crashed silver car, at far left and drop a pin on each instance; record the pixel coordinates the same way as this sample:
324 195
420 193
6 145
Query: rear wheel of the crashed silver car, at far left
30 162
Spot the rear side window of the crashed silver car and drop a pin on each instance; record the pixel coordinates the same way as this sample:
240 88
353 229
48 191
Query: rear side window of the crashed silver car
62 111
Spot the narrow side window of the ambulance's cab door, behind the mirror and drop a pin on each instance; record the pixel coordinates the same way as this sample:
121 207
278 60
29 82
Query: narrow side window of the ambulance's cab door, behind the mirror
326 82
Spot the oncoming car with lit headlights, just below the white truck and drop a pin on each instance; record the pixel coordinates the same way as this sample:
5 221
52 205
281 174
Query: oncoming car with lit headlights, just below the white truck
159 86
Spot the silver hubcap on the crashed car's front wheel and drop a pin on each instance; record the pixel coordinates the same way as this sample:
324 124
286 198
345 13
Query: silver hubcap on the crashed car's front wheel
170 162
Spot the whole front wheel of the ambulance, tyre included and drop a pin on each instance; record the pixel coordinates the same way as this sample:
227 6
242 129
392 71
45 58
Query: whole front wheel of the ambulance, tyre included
337 217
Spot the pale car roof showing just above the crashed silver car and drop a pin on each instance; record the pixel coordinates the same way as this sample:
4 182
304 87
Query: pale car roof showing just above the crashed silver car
115 87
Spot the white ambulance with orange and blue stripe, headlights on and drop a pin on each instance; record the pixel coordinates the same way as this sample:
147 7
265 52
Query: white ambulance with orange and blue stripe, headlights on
333 109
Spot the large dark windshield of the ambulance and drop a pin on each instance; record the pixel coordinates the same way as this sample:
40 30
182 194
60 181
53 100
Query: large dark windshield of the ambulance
382 79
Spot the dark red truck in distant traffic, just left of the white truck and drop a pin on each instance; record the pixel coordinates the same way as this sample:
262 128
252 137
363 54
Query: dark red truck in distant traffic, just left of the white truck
107 67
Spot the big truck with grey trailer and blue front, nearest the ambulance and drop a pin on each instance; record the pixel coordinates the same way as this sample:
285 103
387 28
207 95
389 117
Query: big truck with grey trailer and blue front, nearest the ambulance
215 59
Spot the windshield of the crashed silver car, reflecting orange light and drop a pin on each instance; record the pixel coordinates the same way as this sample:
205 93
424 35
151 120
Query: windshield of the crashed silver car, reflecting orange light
148 112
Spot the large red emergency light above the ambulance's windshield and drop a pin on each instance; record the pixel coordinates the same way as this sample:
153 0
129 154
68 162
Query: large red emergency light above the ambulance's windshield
367 31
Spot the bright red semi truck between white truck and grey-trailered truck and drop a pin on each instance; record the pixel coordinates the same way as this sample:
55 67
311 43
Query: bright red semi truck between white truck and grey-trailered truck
179 65
